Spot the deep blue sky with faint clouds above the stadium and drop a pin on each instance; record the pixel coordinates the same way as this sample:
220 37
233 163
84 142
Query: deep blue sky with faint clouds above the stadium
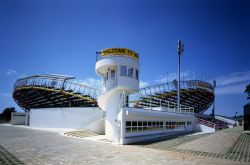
62 37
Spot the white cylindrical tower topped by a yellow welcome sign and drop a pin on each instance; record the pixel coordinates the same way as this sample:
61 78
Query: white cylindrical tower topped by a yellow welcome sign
119 69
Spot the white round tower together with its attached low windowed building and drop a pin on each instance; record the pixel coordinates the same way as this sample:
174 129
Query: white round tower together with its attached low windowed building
119 69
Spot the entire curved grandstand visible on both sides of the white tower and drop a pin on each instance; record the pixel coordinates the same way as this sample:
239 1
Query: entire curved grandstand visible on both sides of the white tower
52 91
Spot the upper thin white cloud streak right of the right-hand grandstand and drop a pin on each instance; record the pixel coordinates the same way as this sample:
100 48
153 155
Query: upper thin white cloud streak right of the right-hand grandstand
233 78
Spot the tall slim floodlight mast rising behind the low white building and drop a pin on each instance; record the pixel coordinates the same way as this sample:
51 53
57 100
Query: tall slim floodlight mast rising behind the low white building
180 51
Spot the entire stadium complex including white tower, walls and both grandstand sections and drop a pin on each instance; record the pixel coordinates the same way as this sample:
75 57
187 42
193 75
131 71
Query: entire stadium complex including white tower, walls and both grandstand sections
57 101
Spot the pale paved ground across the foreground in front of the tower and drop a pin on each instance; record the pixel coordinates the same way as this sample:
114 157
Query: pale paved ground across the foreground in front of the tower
42 147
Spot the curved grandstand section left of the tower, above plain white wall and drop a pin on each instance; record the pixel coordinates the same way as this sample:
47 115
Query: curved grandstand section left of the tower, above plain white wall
53 91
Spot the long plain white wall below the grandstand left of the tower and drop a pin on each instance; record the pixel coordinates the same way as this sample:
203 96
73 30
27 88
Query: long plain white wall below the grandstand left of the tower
90 118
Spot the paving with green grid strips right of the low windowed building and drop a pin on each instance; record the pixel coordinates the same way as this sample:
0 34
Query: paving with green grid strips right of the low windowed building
226 144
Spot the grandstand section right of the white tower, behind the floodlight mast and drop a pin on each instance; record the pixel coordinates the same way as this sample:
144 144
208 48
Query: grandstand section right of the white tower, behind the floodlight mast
194 93
